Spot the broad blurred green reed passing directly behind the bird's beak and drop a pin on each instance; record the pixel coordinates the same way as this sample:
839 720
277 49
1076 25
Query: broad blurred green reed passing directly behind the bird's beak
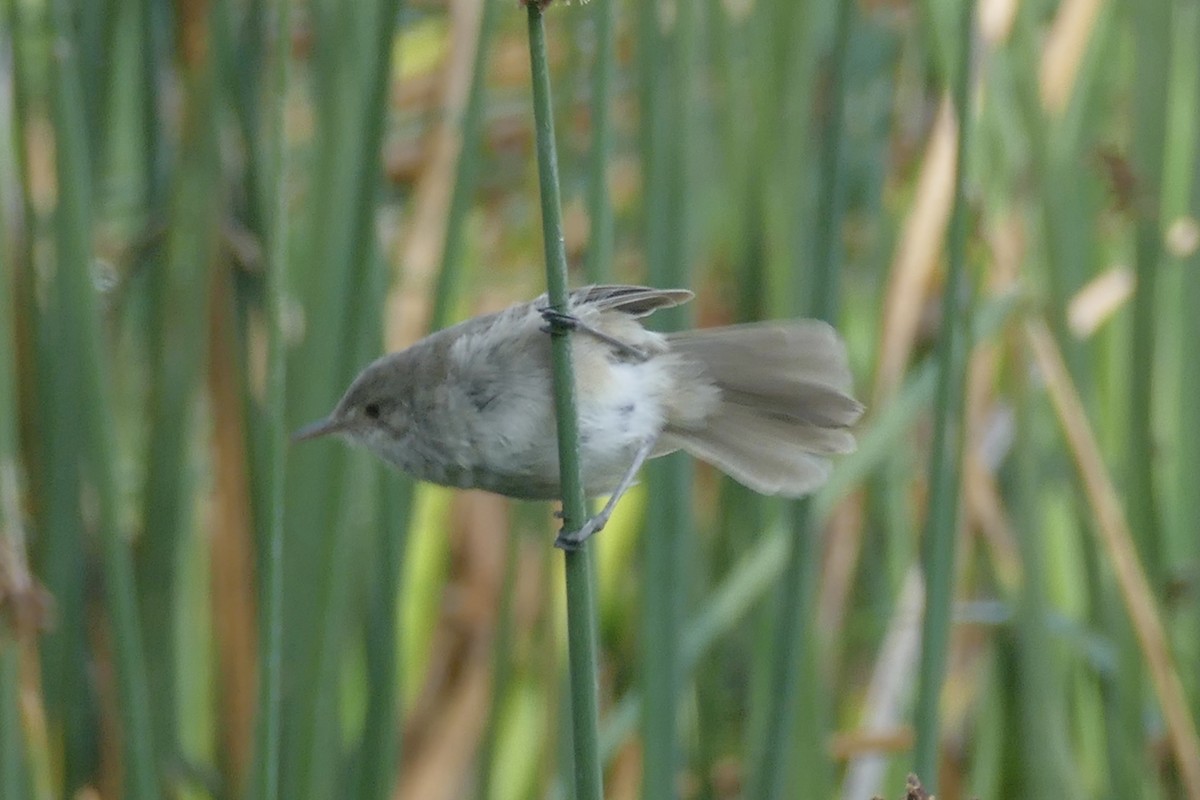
355 74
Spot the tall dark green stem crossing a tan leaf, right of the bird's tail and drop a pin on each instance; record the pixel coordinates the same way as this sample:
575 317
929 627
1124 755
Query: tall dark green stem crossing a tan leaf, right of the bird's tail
943 525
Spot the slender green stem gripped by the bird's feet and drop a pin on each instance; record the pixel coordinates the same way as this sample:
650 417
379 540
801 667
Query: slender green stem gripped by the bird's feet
580 601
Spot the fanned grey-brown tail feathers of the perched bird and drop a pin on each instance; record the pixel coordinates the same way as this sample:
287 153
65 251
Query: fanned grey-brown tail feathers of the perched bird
785 404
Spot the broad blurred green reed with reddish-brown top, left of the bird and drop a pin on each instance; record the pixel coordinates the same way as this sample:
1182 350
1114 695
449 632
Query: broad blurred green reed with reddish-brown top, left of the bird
178 311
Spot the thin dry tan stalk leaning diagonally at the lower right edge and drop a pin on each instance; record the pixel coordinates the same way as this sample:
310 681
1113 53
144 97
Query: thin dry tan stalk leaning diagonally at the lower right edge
1117 539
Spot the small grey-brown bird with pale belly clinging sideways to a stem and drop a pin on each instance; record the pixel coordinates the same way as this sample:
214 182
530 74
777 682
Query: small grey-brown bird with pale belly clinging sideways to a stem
473 407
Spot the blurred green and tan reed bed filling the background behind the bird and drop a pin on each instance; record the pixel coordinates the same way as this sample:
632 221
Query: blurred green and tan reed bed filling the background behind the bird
778 157
